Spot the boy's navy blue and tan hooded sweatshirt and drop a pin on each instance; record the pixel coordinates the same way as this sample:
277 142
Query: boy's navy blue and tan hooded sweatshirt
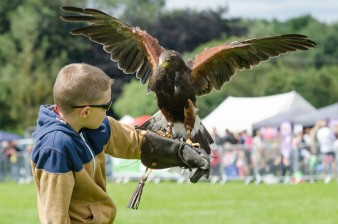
69 167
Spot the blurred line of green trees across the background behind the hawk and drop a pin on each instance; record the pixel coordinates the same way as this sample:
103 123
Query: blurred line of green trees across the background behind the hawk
35 44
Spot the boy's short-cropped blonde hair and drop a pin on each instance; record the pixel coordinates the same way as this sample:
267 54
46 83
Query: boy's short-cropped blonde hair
78 84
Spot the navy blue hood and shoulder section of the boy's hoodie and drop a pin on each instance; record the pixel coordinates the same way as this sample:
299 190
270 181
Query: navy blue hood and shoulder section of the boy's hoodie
59 148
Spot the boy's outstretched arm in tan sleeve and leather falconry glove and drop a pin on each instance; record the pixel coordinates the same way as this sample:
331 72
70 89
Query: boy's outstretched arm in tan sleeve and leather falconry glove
156 152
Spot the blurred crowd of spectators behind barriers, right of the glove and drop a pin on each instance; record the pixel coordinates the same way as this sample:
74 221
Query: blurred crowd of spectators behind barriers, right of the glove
281 152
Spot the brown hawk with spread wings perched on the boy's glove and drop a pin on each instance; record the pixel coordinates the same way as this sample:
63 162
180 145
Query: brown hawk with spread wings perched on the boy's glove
175 82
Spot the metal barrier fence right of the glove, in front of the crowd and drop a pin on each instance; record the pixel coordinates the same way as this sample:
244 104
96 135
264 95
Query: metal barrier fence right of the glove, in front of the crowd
269 164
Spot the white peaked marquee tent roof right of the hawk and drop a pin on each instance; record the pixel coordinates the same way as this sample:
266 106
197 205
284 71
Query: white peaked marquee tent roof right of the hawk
239 113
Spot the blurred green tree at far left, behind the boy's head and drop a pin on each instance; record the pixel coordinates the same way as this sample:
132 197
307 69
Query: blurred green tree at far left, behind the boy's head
32 50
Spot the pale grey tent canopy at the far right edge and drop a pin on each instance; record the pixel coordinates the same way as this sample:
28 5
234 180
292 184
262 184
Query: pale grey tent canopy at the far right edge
323 113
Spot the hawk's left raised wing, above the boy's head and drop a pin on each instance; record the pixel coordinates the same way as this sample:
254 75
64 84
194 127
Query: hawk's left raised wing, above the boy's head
133 49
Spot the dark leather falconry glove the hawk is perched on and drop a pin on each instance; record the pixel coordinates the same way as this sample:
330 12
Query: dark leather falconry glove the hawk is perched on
159 152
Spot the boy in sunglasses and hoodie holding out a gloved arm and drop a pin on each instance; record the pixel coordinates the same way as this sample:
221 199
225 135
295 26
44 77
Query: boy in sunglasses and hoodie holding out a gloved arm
72 137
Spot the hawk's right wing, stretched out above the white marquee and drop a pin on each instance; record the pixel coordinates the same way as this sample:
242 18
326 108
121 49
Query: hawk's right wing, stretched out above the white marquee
215 66
